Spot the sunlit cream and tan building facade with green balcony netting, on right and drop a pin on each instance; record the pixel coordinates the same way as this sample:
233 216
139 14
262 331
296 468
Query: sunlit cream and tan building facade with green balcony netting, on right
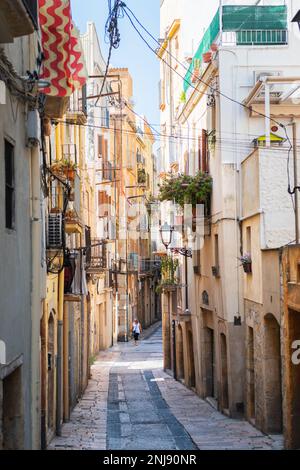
233 102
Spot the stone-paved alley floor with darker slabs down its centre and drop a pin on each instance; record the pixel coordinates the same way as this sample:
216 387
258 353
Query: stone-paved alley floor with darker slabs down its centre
130 403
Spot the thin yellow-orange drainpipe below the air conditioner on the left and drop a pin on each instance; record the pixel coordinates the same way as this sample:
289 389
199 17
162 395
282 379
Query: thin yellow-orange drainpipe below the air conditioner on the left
60 351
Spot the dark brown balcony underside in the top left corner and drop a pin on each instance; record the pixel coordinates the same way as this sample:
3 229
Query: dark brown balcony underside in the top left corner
17 18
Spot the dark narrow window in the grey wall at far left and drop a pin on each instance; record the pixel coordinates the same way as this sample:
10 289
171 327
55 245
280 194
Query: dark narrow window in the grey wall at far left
9 185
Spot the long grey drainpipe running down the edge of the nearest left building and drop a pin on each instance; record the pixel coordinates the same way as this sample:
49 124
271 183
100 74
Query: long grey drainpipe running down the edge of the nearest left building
36 305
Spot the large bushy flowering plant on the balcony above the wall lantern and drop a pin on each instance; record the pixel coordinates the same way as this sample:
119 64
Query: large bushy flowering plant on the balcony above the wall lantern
186 189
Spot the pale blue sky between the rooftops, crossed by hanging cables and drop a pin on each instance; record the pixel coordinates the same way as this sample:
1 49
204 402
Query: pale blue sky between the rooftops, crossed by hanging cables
133 53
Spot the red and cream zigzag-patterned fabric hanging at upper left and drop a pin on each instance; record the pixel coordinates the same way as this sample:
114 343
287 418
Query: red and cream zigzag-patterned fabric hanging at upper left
64 64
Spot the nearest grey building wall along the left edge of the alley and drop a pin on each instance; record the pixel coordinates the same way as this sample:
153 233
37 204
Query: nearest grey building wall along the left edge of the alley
21 225
